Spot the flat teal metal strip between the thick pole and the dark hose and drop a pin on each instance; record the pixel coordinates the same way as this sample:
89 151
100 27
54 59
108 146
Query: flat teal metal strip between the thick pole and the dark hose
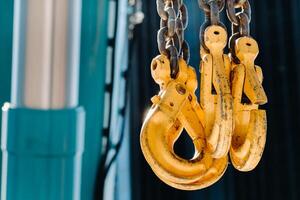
92 81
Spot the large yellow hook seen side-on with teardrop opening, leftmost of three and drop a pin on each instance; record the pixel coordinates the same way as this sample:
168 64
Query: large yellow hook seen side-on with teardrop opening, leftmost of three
175 108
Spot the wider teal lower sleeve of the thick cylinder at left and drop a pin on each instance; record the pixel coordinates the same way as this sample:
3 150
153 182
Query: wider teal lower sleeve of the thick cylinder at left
42 151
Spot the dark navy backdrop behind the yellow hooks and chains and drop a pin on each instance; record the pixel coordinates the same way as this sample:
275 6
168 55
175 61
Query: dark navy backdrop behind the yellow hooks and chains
276 26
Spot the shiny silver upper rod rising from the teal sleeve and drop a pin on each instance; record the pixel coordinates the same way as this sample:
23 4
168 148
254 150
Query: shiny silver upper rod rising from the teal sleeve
46 49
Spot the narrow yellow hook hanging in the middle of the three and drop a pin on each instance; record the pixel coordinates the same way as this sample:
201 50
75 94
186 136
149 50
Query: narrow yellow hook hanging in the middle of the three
215 93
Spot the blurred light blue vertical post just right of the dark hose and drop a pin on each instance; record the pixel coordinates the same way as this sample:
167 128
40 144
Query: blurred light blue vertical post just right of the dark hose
118 184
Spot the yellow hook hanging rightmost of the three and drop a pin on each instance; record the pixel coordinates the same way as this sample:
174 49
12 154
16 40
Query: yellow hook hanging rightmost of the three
249 135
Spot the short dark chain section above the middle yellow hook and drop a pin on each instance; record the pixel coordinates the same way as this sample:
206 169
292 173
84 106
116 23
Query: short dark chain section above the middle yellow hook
212 9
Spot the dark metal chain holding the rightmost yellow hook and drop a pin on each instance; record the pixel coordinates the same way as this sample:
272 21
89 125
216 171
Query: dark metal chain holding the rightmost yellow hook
240 22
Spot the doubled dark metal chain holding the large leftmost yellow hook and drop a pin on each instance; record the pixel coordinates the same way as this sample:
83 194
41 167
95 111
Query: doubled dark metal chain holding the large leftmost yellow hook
170 37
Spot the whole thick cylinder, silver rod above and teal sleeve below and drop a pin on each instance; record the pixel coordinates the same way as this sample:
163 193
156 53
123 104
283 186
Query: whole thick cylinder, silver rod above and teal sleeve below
43 126
